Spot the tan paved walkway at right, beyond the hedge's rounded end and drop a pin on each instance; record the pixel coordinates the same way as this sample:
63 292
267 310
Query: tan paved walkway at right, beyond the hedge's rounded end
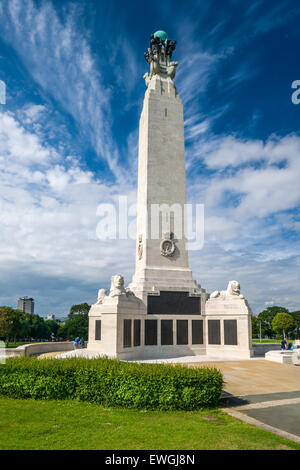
263 393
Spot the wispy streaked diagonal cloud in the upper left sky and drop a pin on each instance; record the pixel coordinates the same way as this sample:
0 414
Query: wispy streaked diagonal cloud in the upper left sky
58 56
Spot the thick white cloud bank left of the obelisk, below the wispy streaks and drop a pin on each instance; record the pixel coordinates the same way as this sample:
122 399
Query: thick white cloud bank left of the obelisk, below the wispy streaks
48 215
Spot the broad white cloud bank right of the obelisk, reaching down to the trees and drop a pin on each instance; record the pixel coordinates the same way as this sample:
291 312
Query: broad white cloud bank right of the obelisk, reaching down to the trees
252 196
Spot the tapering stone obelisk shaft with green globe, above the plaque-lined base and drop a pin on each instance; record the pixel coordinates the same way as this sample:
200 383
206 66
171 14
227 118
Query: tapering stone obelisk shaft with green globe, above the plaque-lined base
162 256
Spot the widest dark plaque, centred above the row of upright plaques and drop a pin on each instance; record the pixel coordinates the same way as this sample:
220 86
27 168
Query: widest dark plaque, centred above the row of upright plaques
173 303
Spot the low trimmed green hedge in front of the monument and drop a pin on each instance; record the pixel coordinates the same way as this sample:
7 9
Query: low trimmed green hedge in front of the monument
112 383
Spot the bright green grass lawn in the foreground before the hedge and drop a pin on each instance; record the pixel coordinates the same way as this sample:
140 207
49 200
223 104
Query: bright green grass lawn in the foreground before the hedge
61 425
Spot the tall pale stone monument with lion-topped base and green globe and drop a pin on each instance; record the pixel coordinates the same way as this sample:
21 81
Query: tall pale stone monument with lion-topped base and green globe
164 312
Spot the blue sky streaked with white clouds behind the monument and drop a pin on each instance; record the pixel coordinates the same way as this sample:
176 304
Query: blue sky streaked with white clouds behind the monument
73 72
